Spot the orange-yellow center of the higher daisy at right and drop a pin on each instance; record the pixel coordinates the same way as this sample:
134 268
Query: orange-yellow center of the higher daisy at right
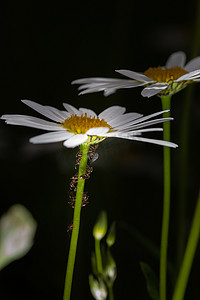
164 74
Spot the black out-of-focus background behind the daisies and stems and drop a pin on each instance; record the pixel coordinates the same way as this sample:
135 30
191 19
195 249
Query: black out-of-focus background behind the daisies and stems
44 46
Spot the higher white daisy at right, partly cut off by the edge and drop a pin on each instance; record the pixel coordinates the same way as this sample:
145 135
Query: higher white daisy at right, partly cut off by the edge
167 80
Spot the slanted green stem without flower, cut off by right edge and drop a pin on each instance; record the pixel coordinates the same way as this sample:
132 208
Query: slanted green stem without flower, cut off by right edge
189 255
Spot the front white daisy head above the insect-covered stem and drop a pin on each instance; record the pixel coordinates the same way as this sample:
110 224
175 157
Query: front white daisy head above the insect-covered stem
77 126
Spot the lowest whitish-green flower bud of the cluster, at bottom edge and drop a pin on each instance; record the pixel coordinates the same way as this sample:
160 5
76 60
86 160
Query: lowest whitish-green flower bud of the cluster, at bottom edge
98 288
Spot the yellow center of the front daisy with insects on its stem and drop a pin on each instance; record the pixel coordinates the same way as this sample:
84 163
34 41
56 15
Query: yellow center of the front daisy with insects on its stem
81 124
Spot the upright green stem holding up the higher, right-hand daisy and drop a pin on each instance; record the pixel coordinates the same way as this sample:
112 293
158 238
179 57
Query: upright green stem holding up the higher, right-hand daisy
166 101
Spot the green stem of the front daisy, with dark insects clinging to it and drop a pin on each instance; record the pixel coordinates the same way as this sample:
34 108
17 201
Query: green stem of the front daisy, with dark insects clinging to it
76 223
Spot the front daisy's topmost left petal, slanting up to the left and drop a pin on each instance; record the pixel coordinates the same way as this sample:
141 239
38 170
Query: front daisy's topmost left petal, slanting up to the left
46 111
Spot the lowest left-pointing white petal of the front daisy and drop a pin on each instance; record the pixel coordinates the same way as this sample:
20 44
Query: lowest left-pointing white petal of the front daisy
51 137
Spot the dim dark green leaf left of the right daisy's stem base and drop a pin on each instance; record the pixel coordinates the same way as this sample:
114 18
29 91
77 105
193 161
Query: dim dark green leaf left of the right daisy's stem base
151 281
